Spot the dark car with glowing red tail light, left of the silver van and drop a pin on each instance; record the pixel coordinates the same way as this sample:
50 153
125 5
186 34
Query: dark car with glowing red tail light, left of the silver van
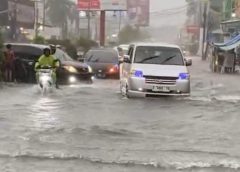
104 62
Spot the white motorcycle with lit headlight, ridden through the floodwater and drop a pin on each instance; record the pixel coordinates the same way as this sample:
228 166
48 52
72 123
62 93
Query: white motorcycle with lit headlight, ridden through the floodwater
45 82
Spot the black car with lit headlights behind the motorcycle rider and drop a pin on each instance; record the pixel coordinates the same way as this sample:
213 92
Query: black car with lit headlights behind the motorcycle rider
70 70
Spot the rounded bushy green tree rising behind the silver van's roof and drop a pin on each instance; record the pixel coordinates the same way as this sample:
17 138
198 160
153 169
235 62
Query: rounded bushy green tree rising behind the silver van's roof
129 34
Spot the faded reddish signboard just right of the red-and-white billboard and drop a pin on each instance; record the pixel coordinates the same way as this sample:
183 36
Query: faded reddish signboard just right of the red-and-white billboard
138 12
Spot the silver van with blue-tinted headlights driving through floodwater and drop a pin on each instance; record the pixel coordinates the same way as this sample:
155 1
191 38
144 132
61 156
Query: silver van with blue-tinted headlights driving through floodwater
154 69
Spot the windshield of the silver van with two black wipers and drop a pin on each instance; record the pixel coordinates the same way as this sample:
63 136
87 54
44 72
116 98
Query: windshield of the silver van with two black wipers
158 55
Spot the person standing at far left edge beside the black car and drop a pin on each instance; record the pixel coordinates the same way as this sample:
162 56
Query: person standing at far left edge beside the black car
9 59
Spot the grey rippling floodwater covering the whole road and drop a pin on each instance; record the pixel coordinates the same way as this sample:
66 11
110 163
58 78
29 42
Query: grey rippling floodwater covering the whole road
92 128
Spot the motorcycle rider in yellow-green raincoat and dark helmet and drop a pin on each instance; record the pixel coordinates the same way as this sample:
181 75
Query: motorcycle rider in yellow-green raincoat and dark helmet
44 61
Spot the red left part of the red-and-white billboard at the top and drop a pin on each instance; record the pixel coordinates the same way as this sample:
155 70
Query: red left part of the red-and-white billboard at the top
88 5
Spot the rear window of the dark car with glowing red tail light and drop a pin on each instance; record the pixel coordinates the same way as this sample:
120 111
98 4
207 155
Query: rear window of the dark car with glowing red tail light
102 56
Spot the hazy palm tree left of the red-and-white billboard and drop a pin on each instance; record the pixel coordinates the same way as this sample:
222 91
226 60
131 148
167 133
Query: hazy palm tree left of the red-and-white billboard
60 12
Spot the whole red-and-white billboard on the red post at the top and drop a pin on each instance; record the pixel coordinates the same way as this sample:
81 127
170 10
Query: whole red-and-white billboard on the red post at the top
107 5
